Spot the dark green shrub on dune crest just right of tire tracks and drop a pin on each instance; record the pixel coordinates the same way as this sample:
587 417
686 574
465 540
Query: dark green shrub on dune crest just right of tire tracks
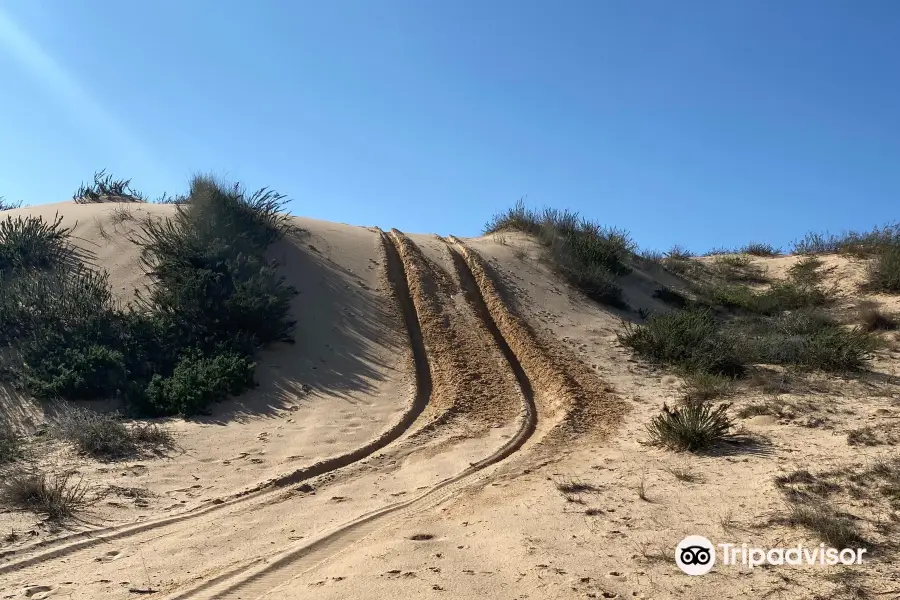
589 255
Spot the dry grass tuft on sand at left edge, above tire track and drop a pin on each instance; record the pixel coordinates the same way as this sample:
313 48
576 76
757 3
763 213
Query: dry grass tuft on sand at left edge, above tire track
57 496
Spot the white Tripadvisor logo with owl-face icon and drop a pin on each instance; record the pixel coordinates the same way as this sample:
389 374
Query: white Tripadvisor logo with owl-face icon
696 555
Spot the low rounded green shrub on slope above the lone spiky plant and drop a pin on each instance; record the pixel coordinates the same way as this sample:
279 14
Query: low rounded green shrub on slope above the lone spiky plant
690 339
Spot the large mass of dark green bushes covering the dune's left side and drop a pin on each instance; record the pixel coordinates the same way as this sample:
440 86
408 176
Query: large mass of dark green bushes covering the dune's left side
186 341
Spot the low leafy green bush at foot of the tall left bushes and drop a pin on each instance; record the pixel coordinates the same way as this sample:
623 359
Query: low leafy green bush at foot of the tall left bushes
197 382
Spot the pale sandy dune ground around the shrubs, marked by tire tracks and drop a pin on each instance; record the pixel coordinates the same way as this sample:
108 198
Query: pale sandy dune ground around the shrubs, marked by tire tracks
453 384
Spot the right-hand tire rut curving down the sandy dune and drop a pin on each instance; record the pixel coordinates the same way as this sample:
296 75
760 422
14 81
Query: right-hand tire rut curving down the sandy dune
261 576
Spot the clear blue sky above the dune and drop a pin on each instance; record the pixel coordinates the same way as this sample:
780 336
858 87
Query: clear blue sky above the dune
701 123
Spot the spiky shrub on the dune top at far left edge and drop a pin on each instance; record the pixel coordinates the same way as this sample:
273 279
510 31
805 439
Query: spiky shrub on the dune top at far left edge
32 243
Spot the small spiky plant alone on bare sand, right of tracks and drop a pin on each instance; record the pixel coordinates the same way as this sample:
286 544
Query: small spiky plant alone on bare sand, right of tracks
692 427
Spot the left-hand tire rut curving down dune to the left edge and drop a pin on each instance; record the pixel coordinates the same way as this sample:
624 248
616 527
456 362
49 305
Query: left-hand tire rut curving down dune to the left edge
397 279
